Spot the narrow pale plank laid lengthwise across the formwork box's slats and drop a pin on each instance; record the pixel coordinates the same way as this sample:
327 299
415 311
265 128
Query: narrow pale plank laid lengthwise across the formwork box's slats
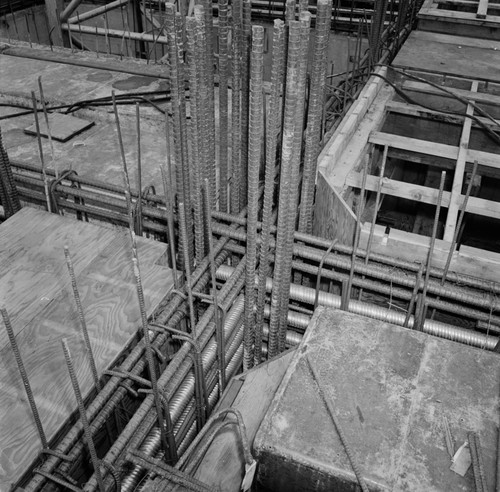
458 177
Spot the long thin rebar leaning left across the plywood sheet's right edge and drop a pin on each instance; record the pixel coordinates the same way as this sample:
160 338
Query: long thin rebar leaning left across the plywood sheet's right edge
149 355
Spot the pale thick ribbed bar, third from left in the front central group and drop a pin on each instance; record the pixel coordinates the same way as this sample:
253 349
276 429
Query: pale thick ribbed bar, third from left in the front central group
291 95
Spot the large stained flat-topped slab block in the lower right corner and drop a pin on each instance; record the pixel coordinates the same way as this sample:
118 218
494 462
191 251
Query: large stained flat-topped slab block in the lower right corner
391 388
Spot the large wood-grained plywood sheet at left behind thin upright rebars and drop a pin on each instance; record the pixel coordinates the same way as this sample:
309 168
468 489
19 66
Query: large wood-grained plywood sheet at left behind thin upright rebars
107 289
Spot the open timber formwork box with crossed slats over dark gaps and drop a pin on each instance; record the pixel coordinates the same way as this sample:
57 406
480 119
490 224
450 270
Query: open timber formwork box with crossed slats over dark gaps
341 167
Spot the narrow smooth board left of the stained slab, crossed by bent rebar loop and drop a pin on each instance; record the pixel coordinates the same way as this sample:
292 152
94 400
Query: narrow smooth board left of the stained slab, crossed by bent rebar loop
223 464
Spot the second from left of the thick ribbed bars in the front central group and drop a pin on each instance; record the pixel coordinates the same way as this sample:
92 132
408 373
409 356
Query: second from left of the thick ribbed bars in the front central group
267 206
